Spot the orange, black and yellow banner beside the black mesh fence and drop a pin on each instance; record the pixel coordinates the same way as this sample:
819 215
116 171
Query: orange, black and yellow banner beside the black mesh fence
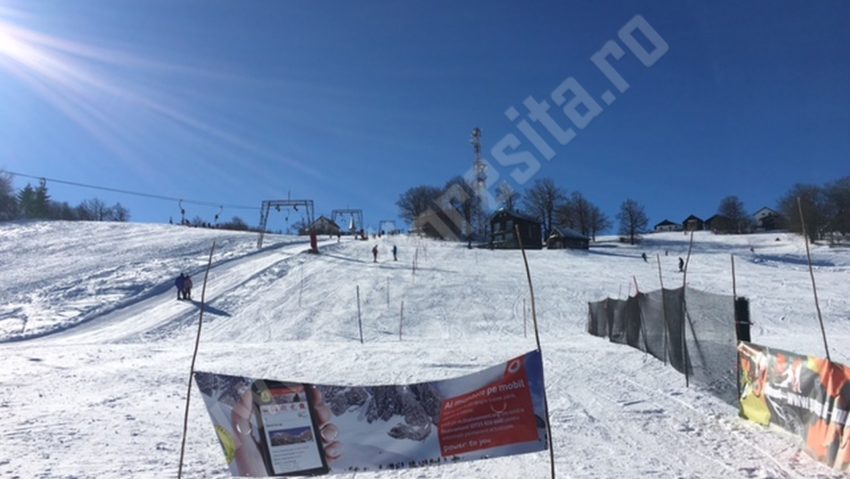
805 395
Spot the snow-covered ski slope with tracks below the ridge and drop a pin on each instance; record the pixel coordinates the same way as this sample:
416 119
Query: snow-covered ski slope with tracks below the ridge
96 349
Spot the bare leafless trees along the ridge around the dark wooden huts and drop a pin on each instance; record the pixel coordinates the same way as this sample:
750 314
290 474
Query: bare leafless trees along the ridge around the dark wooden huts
826 209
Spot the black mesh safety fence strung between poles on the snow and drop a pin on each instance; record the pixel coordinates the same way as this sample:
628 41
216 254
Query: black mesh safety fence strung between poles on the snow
695 331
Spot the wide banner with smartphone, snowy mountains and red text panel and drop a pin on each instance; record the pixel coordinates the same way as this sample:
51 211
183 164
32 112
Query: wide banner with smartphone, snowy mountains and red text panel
275 428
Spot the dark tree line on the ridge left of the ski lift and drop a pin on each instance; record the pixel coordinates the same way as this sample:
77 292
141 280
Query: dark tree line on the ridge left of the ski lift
34 202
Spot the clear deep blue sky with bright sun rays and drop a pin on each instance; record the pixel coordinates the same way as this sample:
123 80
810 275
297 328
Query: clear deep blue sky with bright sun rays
351 103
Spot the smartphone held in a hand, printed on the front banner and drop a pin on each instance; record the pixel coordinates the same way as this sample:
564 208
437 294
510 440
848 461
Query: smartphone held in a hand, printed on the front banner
290 434
